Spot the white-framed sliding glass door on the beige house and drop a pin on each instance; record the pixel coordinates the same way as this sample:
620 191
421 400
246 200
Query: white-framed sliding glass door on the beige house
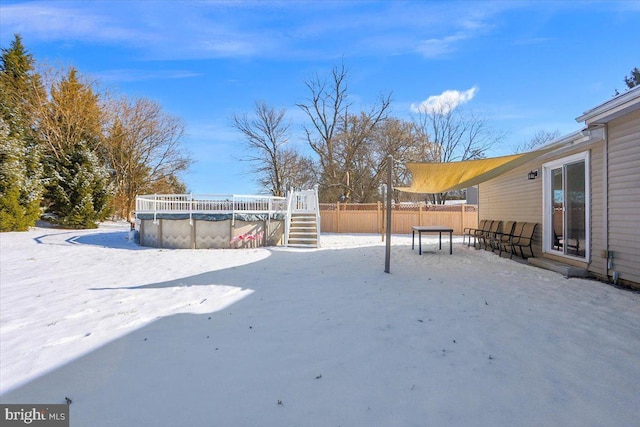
566 206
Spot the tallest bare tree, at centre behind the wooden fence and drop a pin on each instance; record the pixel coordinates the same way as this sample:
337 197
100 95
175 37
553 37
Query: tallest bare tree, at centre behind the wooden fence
336 135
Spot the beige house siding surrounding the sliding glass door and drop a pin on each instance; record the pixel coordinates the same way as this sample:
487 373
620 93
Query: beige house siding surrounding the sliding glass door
614 188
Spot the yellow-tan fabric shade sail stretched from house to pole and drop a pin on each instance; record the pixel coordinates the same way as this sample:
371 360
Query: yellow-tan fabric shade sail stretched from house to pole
443 177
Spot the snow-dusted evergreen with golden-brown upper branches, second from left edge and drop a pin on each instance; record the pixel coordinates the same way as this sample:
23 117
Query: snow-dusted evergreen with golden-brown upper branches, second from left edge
78 190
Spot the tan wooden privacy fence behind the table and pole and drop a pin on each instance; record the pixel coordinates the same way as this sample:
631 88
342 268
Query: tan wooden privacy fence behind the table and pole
370 217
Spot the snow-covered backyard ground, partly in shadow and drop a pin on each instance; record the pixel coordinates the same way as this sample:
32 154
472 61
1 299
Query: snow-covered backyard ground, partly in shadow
291 337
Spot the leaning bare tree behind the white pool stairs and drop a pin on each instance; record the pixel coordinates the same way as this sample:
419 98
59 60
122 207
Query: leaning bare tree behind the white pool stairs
266 139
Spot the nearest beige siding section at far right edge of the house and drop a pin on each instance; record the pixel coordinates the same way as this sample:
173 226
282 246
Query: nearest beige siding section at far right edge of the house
624 196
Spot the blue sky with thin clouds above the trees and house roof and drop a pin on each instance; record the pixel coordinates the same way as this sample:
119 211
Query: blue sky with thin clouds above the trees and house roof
524 66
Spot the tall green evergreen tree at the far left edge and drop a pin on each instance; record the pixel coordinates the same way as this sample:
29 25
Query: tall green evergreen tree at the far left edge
21 184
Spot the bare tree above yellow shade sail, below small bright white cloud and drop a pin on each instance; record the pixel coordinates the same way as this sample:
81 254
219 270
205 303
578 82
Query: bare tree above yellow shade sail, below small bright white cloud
455 135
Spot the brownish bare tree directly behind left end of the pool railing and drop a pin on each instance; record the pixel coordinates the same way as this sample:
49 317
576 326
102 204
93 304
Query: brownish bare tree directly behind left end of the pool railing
143 149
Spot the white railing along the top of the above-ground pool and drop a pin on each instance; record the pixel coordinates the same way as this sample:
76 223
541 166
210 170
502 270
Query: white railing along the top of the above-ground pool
209 204
